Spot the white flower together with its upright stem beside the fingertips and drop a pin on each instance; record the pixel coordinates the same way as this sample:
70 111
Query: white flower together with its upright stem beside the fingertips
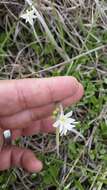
63 124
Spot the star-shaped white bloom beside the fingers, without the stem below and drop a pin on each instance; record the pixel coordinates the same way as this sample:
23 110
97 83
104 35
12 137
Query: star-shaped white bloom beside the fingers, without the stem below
65 123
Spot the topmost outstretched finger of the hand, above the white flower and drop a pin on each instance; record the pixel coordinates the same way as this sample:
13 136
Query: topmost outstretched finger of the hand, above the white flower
18 95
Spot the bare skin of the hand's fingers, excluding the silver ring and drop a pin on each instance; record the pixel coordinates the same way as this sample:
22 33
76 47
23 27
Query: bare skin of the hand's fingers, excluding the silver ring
26 107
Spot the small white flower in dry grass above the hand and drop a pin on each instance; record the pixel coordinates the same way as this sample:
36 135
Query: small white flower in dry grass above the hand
29 16
